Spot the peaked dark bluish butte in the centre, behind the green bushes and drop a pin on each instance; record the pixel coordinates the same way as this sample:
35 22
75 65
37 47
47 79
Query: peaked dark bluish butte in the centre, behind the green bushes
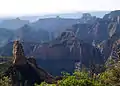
62 53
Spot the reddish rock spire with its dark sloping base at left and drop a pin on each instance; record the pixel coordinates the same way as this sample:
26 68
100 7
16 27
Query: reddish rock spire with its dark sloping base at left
25 71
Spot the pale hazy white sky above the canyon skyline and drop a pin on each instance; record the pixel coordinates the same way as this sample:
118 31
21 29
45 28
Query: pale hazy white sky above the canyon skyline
32 7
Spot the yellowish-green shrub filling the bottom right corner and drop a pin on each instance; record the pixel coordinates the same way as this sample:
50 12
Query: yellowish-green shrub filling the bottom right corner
112 75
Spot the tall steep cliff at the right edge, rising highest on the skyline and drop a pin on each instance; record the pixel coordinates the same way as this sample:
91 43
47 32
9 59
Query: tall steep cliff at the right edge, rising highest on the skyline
112 43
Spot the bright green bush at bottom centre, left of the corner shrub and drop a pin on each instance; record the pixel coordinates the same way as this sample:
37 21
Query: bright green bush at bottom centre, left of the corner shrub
78 78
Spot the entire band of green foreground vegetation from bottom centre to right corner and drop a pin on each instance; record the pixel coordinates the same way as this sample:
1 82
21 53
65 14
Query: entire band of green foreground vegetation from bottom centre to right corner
110 77
